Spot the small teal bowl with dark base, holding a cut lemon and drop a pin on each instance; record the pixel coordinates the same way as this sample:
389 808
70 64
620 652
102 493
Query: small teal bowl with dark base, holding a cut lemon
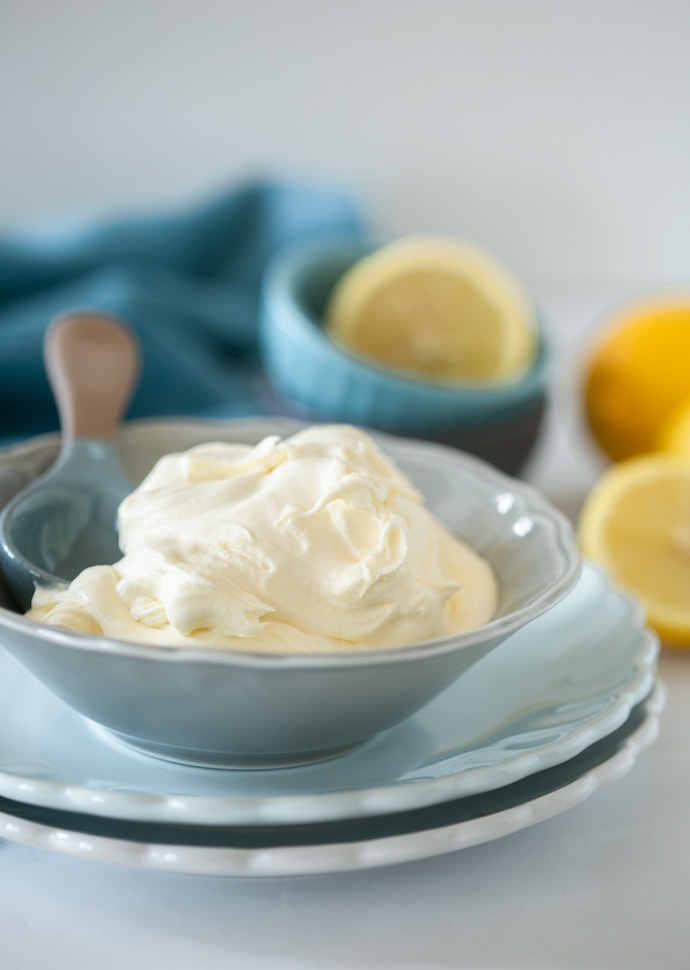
314 378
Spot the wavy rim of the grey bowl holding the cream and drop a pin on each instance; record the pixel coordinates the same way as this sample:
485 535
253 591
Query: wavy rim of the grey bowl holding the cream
496 629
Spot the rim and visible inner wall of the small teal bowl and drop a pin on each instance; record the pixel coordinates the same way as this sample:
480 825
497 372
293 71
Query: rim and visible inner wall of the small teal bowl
282 306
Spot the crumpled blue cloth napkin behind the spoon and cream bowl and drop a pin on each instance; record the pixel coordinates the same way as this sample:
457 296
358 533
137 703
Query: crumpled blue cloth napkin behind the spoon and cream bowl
187 282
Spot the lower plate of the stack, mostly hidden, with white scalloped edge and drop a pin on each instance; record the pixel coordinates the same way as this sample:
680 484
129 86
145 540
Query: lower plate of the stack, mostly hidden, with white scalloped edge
340 846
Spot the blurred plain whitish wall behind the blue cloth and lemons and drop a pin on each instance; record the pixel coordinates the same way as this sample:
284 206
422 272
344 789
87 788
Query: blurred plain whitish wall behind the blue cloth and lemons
556 132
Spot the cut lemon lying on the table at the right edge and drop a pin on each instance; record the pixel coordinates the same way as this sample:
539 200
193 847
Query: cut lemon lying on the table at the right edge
636 524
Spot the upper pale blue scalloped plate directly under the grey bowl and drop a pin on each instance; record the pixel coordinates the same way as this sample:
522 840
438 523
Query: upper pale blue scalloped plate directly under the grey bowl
559 685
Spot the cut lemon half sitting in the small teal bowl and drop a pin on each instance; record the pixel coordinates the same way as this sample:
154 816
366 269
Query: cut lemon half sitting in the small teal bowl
437 308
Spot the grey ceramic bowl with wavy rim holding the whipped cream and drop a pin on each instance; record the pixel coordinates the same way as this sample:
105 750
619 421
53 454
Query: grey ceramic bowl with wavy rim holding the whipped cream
223 708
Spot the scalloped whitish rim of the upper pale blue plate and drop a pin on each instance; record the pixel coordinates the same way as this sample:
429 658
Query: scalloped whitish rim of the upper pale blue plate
362 801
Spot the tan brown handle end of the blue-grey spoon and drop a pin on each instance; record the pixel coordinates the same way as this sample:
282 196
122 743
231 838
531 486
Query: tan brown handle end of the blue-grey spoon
92 361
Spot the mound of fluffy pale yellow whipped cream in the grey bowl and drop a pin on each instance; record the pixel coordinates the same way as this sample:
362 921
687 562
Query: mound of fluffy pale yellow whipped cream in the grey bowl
317 542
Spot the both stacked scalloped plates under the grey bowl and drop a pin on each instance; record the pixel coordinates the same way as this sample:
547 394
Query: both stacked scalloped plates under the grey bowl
559 709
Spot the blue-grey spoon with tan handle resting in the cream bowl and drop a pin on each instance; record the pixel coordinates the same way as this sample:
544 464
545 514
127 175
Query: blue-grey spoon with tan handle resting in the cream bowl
66 519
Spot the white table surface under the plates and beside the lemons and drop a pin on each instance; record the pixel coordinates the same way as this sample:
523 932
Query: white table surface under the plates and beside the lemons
602 885
